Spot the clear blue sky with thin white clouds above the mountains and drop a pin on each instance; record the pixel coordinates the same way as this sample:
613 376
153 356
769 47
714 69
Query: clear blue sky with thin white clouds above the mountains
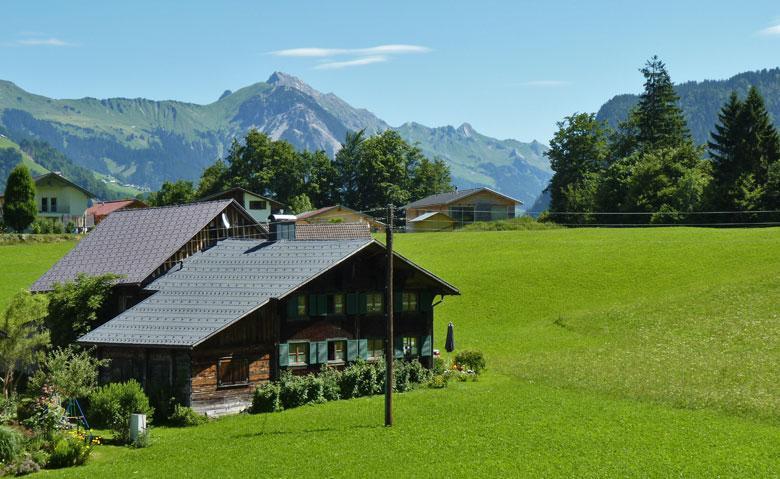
511 69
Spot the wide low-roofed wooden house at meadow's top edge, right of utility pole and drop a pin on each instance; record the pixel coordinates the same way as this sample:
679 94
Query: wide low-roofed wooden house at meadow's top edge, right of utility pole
463 207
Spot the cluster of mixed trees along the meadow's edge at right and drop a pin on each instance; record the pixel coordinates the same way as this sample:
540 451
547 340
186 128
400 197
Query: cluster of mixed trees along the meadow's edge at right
649 170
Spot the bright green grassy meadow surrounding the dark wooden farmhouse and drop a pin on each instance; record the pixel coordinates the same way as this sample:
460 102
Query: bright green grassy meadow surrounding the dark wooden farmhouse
629 352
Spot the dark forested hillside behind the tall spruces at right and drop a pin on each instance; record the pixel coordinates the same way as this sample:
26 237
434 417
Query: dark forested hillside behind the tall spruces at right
701 101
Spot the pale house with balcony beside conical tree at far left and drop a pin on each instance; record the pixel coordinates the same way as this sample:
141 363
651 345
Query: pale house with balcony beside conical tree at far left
60 199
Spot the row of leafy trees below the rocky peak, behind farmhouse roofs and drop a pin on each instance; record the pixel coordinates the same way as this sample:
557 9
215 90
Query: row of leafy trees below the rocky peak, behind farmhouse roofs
367 173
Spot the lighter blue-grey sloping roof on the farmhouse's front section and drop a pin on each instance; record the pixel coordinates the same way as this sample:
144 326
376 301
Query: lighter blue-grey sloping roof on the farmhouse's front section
219 286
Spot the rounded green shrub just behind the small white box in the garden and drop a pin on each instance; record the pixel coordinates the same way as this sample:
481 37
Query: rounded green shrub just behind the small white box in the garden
112 405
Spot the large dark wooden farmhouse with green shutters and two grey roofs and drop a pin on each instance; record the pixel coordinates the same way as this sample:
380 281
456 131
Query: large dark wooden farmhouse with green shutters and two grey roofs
213 320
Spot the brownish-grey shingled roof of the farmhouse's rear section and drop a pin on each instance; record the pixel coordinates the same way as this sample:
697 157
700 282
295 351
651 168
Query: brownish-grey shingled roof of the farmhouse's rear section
133 243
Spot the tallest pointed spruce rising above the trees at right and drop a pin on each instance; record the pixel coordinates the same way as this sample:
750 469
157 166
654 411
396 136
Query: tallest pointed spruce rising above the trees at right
659 119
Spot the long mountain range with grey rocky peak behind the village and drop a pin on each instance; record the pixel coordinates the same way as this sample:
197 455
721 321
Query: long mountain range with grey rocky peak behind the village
145 142
